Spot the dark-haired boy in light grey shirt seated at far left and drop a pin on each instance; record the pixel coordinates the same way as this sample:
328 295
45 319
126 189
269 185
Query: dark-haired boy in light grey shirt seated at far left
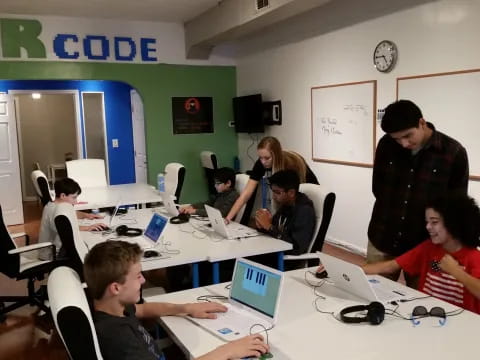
66 191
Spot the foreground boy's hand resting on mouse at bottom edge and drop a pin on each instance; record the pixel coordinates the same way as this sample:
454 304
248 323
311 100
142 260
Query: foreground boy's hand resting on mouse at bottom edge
248 346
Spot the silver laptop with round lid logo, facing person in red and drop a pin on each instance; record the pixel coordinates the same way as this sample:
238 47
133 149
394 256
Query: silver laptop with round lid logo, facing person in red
352 278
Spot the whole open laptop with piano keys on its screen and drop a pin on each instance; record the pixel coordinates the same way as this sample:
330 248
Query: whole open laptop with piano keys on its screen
254 298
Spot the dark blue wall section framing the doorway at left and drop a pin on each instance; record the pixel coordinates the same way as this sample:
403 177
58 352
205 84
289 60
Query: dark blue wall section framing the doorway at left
118 118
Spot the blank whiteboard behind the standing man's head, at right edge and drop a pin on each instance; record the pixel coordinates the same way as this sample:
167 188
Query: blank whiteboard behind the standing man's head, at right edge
450 101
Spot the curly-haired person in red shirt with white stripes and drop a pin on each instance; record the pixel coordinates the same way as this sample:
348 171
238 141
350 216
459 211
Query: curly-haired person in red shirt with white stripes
448 263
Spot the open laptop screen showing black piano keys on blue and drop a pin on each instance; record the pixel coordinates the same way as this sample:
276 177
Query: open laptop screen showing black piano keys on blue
256 287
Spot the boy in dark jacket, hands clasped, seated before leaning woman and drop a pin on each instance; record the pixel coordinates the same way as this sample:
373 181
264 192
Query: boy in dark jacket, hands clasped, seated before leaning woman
294 221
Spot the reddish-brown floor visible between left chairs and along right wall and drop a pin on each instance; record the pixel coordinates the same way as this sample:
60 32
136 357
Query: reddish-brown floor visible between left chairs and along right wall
25 336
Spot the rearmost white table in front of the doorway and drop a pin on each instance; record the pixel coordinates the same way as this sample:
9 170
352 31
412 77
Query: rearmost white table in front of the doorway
105 196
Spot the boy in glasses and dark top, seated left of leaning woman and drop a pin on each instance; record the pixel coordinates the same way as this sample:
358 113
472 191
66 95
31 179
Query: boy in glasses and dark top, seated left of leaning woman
225 198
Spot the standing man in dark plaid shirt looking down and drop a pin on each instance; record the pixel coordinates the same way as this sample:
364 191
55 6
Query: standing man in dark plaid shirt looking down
413 162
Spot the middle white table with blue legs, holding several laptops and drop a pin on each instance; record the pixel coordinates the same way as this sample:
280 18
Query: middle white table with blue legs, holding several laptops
194 243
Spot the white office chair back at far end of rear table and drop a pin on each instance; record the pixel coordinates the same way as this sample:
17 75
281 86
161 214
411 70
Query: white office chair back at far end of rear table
87 172
